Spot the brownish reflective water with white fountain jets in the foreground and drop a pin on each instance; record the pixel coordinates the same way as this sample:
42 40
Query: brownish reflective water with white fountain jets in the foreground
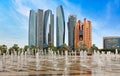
59 63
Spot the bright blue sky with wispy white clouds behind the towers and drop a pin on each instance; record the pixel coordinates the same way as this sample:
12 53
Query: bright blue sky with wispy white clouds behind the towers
14 18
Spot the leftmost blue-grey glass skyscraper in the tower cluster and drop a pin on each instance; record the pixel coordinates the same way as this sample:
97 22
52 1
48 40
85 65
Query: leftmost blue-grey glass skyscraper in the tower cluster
32 28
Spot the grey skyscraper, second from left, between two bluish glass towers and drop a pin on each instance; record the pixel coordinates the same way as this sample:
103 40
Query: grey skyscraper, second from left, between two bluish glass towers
39 28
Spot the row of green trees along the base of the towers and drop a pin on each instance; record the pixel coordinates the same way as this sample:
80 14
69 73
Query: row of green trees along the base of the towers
64 47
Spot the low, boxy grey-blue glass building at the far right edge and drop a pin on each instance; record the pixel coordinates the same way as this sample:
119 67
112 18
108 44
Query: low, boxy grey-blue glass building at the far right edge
111 42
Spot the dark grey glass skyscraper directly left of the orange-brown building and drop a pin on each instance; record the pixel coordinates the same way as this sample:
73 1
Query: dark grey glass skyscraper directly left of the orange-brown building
71 26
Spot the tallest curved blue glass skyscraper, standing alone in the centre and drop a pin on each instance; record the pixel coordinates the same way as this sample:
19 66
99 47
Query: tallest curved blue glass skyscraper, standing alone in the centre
60 26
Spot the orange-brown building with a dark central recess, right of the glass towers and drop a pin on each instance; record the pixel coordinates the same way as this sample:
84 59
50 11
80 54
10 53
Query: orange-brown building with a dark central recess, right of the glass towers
82 33
